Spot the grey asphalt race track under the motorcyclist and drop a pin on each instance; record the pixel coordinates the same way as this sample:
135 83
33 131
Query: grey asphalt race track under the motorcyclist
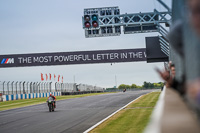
70 116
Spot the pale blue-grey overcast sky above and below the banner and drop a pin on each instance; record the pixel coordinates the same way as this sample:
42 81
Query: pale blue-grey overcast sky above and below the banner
41 26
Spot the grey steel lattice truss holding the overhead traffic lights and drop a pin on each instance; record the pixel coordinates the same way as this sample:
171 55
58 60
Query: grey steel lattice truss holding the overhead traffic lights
134 19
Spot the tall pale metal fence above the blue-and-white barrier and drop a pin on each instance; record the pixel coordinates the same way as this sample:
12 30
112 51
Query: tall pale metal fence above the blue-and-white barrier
24 87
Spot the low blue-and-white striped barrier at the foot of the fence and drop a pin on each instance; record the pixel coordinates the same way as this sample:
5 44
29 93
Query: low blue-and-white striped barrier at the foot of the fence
28 96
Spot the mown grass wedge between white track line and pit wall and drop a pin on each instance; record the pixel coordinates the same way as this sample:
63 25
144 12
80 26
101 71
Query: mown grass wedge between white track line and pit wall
133 119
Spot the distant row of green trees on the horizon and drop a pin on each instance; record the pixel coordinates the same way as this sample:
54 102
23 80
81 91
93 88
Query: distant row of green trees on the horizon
146 85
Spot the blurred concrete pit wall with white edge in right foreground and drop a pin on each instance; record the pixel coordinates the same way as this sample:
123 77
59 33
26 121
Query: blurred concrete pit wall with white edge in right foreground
172 115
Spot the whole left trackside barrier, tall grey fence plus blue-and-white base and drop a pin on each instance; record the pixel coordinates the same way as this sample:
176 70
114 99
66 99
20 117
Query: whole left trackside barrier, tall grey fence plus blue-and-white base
27 90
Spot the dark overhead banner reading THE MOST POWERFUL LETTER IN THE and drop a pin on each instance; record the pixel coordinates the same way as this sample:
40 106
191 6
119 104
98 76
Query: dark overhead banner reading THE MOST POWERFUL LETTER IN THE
67 58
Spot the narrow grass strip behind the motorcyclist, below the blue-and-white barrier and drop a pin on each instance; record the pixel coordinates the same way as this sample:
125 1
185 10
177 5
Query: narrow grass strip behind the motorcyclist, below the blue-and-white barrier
27 102
